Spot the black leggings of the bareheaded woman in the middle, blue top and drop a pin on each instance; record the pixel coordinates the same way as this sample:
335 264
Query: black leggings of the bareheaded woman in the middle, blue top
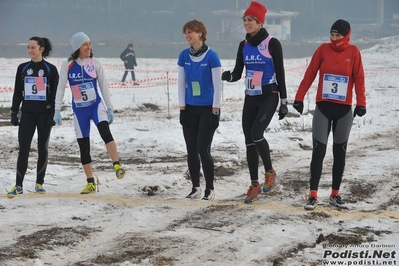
198 136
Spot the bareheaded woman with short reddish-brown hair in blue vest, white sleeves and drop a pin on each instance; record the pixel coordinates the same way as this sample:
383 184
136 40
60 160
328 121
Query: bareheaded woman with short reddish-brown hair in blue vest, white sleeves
199 93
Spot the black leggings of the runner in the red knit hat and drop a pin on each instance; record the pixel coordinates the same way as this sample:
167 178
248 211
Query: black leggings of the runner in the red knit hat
257 113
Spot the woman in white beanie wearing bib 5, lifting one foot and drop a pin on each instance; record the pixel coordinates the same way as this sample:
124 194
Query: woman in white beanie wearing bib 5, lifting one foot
83 72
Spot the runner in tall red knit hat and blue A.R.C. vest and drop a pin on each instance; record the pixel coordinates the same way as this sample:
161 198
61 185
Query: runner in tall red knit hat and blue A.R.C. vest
262 56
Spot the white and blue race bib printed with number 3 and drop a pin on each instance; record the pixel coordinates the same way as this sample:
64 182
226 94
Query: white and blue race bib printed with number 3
335 87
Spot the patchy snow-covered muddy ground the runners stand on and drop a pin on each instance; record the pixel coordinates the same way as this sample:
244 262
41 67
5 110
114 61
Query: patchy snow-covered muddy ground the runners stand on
144 219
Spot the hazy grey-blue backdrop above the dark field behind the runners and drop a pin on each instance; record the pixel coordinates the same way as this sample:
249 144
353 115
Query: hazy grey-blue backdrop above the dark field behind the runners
122 21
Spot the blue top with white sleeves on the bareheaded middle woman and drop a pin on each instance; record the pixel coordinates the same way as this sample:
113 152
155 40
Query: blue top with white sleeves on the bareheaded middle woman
197 83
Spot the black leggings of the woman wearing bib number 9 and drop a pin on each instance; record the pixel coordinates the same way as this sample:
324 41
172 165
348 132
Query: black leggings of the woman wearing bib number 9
28 124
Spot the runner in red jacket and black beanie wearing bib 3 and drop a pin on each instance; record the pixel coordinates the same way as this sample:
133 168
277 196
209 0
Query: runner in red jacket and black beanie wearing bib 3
340 68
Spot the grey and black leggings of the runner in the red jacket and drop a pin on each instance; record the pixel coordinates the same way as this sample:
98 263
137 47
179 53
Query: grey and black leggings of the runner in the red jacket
338 117
